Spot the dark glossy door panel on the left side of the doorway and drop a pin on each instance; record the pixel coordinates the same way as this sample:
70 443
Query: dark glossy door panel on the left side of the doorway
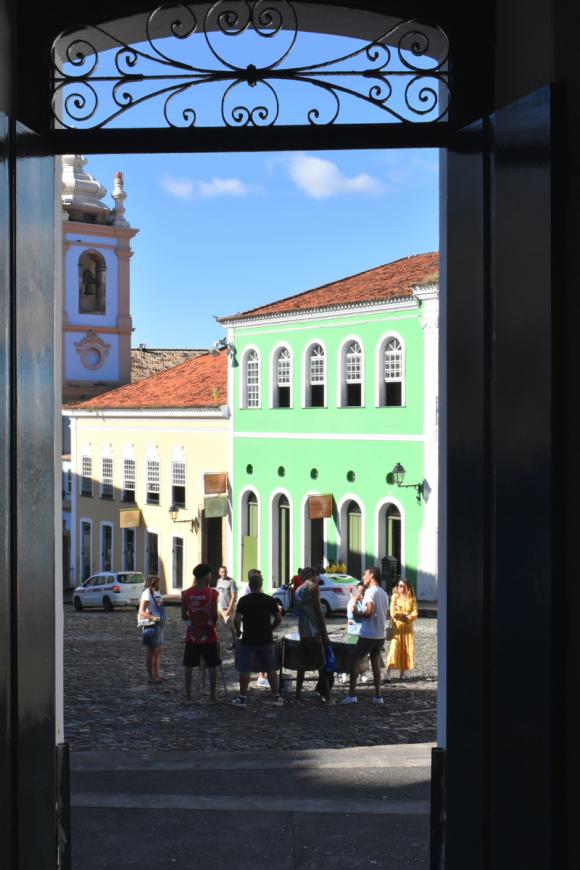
34 463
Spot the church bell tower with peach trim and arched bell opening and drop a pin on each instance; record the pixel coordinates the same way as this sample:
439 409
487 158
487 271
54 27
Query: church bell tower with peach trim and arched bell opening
97 323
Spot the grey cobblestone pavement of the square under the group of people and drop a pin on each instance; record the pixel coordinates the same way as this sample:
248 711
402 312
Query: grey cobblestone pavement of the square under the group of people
109 704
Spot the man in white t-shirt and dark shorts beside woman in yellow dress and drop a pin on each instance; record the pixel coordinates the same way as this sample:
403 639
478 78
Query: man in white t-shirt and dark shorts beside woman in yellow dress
373 618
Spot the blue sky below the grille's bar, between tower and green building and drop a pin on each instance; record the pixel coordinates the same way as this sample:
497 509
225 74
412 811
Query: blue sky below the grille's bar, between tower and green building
222 233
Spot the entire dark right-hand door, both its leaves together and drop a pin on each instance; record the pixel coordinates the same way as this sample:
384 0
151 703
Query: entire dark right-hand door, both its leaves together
497 667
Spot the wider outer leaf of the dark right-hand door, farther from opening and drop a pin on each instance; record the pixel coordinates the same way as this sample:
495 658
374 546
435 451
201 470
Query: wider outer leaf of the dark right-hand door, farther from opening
521 731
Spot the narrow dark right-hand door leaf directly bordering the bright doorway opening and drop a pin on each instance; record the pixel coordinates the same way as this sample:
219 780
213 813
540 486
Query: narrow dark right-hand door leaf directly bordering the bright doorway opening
463 511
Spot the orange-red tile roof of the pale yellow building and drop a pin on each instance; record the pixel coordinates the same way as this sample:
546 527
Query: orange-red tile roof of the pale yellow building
198 383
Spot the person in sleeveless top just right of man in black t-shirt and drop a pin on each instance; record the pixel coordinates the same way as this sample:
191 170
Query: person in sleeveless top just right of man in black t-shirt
313 635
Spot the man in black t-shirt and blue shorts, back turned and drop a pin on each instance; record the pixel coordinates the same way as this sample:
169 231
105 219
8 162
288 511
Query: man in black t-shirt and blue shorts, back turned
258 614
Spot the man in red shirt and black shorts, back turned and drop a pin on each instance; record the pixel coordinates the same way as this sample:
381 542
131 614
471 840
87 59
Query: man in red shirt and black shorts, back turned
199 609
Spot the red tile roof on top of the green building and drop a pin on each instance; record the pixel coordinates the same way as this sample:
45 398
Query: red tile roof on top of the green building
391 281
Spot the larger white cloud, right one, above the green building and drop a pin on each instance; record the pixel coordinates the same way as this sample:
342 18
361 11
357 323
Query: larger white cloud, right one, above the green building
321 179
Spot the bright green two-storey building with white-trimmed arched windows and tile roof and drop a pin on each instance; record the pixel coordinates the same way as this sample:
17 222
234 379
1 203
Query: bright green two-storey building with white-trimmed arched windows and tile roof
331 390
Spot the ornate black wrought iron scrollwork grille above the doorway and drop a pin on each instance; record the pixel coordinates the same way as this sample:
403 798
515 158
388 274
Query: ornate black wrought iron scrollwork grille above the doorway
400 76
